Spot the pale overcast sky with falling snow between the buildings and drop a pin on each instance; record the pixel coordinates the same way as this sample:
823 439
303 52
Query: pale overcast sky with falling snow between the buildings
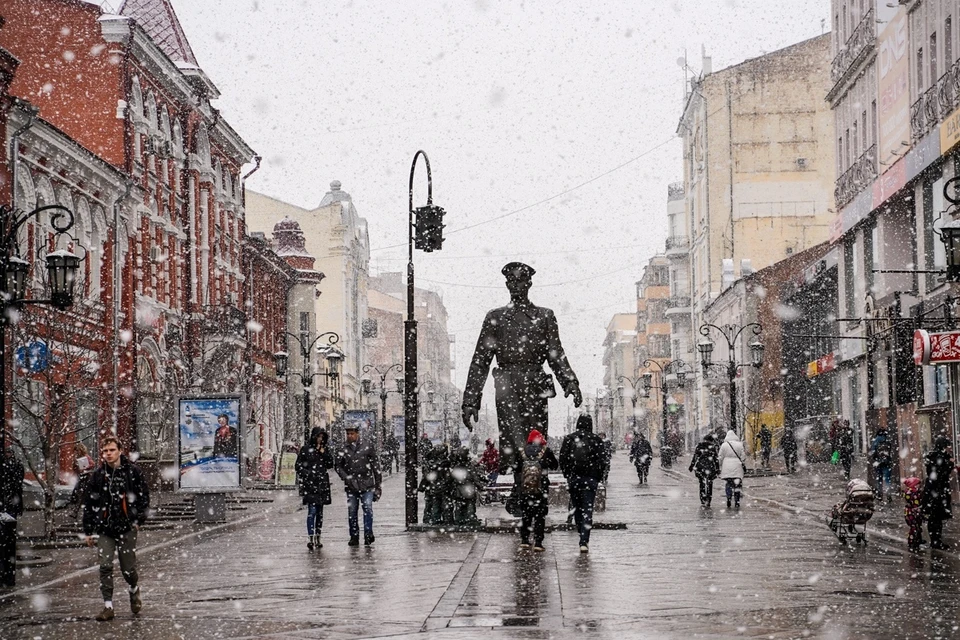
550 128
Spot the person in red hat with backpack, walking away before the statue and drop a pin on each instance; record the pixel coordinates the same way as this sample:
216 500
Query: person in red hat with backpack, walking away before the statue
533 486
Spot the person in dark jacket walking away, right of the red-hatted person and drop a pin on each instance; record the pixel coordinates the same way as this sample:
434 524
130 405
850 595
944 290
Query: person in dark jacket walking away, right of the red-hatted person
583 461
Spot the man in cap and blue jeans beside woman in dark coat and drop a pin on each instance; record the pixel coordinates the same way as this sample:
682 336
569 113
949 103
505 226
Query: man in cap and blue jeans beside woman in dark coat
358 467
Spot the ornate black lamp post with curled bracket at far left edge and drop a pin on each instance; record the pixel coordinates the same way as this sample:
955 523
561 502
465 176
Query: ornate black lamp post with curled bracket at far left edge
62 267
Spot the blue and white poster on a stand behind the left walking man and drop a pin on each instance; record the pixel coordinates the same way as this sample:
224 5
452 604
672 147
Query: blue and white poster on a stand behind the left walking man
208 452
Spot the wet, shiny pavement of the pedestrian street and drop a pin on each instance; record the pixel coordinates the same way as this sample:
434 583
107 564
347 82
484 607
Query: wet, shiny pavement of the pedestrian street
676 571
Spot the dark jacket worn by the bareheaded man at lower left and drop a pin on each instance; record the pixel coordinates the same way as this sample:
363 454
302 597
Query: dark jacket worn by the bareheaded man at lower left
116 500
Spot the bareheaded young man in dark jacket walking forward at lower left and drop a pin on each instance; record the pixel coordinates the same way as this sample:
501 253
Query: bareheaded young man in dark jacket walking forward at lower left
115 508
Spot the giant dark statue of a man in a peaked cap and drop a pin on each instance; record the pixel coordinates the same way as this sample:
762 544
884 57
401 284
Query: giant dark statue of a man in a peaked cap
522 336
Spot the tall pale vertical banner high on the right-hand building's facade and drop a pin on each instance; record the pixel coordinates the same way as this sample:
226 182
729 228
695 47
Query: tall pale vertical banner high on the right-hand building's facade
893 79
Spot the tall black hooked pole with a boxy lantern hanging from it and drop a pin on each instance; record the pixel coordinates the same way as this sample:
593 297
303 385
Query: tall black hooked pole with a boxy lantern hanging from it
428 230
